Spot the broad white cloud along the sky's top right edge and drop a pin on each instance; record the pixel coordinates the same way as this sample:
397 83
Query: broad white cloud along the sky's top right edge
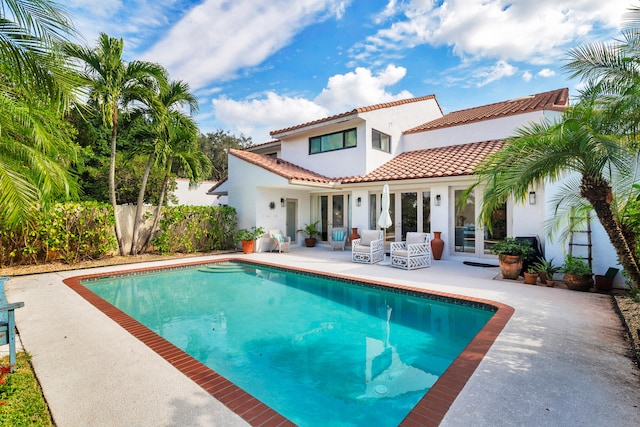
522 30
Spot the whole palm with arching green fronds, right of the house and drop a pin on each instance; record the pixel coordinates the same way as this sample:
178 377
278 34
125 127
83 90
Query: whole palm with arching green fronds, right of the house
551 151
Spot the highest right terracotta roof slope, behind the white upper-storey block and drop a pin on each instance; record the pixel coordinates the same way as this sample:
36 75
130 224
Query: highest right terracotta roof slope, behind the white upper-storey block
556 100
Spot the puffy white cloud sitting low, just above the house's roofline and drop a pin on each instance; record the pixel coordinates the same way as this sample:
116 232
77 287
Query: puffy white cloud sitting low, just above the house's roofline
258 116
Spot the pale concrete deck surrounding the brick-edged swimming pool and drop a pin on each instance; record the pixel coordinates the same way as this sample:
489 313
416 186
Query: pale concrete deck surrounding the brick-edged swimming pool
560 361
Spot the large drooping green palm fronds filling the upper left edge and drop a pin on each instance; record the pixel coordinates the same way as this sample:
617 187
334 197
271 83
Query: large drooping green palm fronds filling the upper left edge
35 92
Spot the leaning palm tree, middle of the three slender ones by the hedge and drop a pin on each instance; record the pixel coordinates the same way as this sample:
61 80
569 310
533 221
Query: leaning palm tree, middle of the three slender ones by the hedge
162 105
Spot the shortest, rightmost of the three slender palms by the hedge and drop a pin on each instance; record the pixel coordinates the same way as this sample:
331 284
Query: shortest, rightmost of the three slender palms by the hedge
181 147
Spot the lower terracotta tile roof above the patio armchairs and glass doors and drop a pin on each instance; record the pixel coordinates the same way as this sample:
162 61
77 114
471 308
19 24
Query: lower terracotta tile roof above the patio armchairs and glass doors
453 160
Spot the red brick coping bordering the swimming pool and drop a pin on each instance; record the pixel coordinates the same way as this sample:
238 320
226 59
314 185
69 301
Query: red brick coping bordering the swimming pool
429 411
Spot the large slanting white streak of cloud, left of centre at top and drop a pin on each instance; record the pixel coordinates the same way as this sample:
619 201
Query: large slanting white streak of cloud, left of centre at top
216 39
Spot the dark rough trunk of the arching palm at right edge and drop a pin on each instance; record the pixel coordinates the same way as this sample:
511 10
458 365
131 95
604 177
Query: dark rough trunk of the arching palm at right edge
597 192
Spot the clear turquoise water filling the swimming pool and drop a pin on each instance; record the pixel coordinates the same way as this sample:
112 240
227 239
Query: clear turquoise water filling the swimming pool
319 351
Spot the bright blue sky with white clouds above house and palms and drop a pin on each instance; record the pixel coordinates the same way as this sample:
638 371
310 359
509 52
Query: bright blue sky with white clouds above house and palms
260 65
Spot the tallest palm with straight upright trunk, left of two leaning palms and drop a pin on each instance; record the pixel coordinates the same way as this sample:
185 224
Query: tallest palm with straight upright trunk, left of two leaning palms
110 81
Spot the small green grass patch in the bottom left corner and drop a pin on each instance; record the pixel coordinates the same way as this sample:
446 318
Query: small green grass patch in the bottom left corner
21 399
